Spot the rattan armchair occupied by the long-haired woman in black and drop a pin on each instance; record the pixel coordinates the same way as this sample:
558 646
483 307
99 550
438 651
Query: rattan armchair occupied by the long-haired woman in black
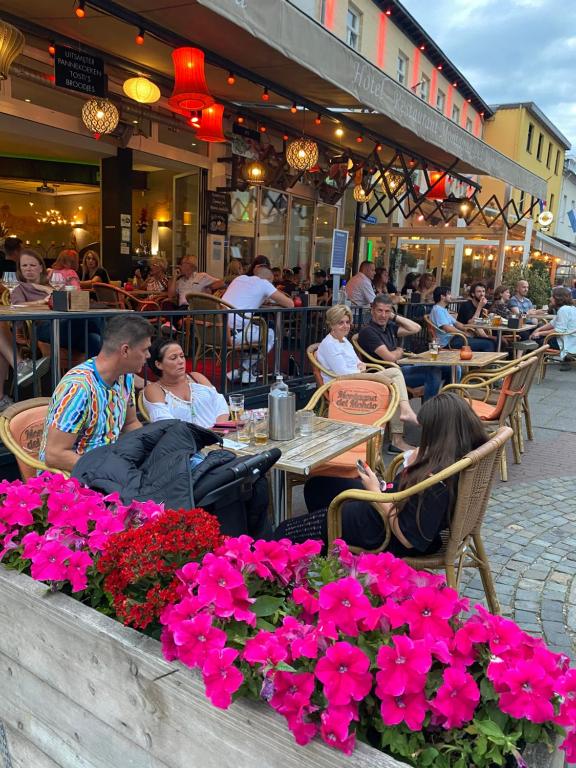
463 545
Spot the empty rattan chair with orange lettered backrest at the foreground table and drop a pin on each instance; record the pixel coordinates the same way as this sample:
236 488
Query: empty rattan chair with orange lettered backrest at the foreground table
362 398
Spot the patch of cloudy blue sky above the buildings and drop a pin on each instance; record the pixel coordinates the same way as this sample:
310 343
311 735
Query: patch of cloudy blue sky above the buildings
510 50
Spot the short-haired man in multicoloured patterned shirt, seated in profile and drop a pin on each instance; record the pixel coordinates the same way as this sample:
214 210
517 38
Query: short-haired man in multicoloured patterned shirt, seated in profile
94 402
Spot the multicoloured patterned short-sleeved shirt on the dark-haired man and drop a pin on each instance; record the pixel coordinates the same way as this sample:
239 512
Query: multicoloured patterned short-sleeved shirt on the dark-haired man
83 404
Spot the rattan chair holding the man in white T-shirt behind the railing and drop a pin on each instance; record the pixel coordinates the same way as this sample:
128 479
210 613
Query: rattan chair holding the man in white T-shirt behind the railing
213 336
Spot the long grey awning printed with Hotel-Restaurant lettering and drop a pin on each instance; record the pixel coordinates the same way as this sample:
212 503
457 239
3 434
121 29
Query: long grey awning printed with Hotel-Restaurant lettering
298 53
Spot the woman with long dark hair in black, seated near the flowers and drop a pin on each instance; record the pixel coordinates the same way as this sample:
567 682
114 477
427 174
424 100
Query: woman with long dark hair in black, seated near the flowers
450 430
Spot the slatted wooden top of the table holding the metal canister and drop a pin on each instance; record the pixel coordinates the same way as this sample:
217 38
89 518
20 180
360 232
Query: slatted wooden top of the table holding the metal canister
302 454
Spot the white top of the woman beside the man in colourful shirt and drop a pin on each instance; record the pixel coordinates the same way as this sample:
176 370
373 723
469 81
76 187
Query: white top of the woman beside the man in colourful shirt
205 404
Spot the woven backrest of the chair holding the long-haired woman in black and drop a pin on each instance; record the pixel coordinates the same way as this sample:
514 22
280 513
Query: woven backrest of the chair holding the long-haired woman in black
474 486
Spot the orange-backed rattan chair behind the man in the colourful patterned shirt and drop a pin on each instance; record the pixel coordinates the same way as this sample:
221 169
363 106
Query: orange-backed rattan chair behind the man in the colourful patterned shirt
21 428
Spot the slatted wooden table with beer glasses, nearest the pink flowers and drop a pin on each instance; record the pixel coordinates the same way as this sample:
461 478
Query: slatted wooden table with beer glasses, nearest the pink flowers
315 441
